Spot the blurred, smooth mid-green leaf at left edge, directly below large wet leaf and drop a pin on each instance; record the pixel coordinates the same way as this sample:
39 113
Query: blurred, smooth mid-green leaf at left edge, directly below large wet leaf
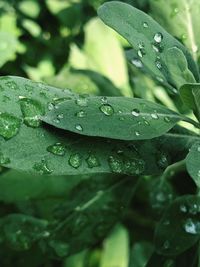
19 186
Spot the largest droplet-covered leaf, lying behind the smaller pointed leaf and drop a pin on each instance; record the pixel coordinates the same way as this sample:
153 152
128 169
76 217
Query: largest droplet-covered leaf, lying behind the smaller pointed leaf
37 148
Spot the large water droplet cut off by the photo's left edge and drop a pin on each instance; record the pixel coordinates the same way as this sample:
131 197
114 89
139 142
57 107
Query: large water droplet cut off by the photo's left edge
9 125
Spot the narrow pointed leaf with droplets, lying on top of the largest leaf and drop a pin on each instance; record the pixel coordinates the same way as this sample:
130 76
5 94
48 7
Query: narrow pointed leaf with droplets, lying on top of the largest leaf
113 117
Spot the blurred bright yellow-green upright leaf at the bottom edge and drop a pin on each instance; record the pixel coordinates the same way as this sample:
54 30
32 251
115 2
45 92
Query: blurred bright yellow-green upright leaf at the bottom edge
117 241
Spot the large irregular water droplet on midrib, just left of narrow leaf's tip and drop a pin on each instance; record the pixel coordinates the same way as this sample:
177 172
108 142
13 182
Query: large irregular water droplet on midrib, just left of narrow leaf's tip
32 110
